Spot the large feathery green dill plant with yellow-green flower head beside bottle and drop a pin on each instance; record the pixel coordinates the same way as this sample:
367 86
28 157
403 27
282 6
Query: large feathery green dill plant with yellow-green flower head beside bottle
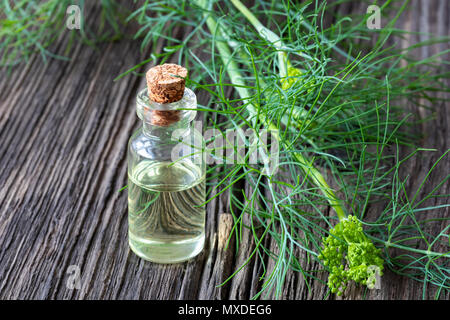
336 106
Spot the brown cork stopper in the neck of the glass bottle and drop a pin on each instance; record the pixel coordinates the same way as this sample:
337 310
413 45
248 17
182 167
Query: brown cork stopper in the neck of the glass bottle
165 84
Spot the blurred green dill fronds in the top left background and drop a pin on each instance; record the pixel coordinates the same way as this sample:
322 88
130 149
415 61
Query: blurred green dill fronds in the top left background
29 27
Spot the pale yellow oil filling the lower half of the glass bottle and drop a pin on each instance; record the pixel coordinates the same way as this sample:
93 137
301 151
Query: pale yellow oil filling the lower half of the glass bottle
166 215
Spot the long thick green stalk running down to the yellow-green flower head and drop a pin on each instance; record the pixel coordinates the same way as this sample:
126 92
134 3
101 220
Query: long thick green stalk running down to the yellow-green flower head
233 72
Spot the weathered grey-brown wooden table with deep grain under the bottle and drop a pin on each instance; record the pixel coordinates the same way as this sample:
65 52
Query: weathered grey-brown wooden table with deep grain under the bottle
64 128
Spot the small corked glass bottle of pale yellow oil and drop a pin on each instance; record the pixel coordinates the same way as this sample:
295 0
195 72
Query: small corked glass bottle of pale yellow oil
166 171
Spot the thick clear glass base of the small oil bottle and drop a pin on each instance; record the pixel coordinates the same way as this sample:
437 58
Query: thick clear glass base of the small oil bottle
166 252
